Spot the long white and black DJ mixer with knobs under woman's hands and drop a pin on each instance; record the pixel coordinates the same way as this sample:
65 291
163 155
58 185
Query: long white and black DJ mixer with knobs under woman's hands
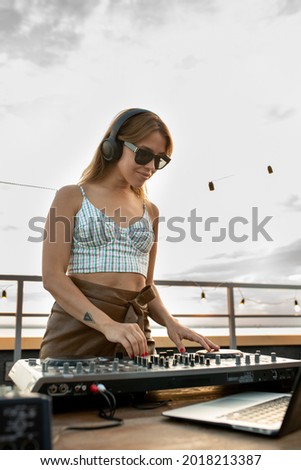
59 377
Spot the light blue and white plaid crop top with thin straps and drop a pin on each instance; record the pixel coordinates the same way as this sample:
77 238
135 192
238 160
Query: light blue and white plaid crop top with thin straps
99 244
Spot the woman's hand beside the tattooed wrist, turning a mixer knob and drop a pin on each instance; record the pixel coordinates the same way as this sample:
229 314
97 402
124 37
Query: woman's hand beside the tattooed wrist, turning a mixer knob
129 335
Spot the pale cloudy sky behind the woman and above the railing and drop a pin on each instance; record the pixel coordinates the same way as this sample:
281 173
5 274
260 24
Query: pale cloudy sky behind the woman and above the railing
224 75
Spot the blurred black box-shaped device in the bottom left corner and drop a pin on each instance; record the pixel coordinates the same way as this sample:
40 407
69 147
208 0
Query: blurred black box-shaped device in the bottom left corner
25 421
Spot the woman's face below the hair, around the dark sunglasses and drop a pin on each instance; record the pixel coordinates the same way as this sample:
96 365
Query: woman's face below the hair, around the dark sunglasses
135 174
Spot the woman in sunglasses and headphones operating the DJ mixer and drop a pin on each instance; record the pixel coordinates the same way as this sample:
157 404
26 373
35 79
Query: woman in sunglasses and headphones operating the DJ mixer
100 247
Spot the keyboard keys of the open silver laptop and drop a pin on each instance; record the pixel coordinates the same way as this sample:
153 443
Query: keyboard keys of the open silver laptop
264 413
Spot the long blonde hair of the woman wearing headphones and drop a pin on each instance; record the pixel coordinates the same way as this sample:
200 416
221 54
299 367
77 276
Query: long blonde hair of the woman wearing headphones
133 130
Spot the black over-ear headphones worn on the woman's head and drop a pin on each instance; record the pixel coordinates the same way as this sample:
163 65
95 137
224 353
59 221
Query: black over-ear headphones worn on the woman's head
111 147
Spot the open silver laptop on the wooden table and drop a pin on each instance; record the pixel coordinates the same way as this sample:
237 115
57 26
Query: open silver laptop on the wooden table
269 413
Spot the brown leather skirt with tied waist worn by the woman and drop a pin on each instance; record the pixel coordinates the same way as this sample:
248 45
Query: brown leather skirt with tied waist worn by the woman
66 336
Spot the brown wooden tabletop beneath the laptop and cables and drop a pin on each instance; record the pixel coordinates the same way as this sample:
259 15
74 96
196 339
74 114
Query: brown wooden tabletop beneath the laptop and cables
146 429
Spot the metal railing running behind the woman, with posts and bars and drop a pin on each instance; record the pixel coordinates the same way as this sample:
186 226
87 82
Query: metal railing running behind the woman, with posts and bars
229 286
